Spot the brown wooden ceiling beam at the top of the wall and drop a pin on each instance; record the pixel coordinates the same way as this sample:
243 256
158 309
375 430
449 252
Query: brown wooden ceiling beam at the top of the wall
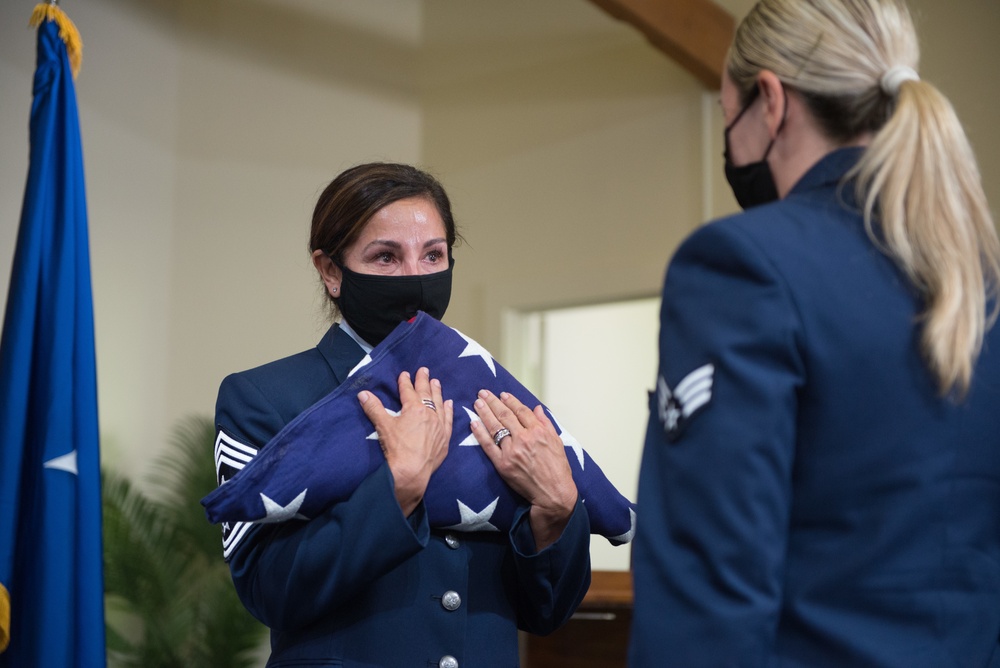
695 33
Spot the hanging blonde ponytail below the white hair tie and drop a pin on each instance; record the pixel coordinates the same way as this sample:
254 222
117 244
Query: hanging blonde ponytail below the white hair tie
924 206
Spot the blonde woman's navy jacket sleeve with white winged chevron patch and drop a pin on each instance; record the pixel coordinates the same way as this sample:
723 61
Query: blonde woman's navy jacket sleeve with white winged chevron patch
715 479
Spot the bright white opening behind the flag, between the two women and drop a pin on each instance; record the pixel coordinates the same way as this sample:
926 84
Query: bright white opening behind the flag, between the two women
594 365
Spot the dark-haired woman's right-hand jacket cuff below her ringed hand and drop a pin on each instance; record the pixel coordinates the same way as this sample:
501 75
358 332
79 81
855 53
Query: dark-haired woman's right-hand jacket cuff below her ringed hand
550 583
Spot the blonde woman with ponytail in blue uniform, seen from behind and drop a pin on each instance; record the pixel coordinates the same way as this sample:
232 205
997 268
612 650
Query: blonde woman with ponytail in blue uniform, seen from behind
820 483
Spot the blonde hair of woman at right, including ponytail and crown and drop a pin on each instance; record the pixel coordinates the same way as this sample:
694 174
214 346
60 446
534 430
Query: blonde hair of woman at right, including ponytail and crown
853 62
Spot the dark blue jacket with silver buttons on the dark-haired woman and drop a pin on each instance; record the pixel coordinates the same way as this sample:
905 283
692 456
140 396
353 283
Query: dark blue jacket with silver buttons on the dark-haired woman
362 585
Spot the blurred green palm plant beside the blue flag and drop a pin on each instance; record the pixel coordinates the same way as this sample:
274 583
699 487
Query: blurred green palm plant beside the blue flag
169 598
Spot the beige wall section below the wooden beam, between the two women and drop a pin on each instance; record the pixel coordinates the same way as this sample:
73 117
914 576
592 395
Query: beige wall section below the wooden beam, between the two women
572 149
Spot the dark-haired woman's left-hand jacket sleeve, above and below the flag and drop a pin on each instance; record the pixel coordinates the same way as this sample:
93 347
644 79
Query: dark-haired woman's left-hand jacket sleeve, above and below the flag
292 573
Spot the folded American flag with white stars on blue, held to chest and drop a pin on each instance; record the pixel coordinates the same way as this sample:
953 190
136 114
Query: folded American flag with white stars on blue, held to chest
321 456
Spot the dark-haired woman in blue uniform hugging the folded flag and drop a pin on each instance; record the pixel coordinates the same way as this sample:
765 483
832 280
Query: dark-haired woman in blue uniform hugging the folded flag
369 583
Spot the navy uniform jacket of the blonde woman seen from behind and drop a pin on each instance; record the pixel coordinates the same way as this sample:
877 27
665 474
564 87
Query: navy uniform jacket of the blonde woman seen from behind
808 498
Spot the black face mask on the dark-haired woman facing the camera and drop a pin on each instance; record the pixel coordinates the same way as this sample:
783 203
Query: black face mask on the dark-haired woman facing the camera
373 305
